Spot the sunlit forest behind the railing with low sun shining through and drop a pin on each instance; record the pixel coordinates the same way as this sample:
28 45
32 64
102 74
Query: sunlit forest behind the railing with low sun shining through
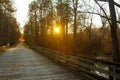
68 26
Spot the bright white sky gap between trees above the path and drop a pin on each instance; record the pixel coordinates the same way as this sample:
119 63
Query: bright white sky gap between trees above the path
22 7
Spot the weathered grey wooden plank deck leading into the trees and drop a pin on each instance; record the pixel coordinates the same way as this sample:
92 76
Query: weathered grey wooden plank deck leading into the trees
24 64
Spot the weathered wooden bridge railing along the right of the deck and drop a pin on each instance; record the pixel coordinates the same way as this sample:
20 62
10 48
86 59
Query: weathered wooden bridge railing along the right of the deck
94 68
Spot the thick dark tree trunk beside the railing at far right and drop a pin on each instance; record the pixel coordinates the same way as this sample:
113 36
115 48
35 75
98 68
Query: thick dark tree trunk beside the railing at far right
116 53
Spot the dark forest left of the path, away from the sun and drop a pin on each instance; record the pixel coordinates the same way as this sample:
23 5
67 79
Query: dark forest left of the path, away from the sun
9 29
